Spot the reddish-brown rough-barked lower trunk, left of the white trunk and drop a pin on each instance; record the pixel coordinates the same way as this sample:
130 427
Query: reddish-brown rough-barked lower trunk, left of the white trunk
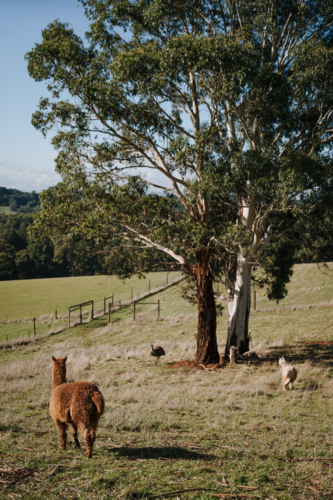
207 351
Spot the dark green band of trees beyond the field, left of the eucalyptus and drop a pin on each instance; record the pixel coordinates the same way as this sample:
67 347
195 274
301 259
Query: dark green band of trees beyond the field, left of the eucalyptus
24 259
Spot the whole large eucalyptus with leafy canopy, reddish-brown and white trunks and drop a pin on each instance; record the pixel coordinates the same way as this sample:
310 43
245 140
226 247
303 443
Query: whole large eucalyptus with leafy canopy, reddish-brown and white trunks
224 107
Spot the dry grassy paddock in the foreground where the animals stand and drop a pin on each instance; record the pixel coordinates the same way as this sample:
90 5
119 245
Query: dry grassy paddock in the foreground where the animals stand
186 432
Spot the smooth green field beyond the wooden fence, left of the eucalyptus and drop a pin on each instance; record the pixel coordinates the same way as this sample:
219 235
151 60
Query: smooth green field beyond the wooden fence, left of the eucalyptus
39 297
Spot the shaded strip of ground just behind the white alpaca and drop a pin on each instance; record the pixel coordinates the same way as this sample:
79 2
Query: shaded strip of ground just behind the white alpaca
317 352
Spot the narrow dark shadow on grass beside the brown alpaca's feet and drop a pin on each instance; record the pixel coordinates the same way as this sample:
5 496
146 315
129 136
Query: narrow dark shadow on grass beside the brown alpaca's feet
165 453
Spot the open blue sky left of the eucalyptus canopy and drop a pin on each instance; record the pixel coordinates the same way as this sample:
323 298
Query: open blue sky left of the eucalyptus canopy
26 158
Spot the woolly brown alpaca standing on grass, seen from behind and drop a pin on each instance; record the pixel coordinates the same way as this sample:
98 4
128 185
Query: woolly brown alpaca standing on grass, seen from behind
78 403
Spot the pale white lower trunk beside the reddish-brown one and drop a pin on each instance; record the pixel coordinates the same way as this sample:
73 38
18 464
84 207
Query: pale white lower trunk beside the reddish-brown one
239 309
